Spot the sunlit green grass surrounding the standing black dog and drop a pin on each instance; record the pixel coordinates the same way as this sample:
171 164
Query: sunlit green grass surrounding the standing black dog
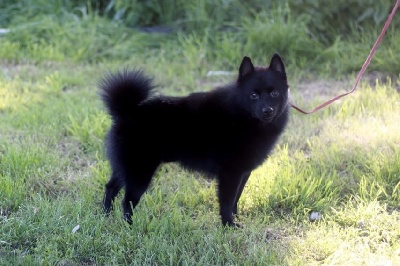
343 162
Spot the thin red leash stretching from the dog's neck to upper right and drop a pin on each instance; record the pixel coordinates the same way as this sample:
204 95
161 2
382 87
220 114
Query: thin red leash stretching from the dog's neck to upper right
364 67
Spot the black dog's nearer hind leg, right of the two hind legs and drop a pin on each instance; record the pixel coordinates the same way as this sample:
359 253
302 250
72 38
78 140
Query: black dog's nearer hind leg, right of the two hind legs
136 183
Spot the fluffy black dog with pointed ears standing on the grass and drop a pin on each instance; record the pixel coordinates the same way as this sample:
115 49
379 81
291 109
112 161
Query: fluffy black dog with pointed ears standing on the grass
225 133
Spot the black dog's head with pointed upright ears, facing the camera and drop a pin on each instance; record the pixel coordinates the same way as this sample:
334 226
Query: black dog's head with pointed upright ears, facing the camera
263 90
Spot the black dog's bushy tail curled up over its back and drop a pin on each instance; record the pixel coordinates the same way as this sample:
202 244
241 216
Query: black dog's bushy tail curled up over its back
123 91
